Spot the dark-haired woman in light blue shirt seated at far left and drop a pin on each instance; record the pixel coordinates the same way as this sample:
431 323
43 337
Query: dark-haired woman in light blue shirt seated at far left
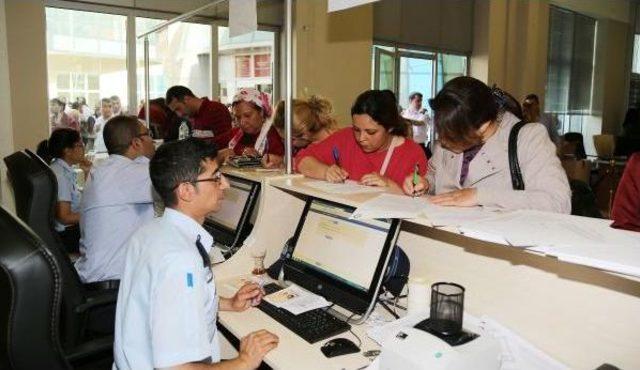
63 150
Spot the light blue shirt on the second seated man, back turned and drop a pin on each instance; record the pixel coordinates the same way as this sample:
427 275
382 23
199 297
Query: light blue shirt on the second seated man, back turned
117 200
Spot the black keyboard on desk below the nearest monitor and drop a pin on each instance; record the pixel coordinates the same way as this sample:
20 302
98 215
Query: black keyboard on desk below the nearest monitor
312 326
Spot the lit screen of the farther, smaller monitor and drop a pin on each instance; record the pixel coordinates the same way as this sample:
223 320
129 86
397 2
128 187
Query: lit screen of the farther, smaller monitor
232 206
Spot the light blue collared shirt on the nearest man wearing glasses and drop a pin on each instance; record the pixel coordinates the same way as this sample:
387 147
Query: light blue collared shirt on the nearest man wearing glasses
167 303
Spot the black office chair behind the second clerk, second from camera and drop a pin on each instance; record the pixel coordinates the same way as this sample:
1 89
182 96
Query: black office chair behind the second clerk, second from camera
88 310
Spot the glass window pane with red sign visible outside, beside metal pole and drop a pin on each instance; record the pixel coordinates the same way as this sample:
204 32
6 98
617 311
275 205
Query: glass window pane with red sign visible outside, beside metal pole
245 61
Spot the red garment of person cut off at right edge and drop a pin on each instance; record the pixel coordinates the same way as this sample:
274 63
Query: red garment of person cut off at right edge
626 205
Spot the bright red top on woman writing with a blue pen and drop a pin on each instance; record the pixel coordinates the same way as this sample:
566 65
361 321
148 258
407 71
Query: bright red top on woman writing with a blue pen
358 163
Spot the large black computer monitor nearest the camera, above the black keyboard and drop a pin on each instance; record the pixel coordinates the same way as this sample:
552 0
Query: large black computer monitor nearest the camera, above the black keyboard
338 258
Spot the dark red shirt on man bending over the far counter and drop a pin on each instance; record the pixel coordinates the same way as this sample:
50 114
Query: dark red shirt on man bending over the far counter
212 123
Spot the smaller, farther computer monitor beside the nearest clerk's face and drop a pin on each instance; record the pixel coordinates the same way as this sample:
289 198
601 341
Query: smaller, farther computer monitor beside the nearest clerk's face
231 224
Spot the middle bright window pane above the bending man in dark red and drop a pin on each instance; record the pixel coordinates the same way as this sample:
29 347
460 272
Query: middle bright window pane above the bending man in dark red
178 55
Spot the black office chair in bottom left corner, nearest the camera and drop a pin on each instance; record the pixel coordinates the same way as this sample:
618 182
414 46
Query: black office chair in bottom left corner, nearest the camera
31 291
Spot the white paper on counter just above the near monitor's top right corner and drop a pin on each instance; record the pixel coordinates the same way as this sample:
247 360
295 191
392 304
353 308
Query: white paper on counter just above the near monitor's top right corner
390 206
